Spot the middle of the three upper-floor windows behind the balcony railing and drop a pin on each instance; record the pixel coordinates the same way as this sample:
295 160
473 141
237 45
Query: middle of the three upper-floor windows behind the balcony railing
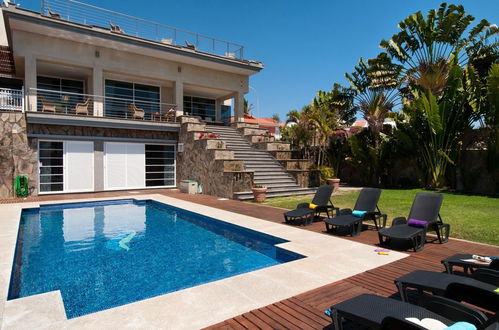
120 94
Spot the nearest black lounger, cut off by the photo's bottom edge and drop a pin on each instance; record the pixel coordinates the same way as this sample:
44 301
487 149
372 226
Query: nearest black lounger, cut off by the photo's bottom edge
378 312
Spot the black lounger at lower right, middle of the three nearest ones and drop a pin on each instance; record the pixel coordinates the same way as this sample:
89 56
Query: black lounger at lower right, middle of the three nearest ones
459 288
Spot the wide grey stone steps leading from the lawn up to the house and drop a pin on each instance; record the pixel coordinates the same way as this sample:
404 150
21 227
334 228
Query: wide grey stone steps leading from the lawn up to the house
267 170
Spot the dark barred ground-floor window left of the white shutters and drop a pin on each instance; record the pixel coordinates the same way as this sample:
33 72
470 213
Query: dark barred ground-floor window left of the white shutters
51 157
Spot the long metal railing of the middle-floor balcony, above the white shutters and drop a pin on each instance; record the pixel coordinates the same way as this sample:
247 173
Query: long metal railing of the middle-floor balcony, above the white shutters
67 103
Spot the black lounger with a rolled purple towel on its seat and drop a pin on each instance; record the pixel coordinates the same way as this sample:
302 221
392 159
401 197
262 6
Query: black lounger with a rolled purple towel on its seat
423 217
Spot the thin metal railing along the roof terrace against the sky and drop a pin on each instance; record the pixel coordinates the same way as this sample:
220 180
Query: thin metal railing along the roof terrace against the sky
83 13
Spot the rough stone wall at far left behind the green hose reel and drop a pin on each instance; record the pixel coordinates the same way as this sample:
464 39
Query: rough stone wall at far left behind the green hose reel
16 155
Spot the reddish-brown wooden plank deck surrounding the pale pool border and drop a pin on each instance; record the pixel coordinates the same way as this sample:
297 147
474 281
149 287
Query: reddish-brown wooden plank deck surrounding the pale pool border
306 311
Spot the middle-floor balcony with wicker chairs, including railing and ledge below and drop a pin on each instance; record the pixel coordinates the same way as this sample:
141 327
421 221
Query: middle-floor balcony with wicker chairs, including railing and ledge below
66 108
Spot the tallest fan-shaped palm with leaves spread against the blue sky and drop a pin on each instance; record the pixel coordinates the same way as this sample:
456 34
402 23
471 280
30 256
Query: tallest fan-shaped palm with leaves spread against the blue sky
431 51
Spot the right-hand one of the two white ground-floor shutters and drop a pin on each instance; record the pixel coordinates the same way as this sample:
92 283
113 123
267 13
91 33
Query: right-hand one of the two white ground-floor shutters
124 165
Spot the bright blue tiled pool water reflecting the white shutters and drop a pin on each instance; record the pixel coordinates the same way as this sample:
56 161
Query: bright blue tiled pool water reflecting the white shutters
106 254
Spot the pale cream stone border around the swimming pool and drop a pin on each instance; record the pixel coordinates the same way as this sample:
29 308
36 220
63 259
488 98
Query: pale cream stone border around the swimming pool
329 259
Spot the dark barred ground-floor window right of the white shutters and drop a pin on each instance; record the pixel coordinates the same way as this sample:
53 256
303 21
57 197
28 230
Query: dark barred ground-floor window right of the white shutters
160 165
